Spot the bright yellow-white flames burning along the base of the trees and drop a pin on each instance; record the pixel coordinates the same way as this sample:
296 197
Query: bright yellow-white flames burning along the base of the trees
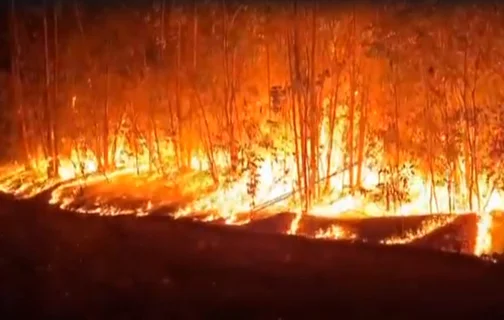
271 186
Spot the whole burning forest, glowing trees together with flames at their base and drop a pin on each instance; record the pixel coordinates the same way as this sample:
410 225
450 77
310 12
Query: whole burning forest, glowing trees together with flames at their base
324 118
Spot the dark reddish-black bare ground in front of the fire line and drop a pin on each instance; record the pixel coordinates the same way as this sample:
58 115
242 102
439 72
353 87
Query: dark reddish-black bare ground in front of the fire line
56 264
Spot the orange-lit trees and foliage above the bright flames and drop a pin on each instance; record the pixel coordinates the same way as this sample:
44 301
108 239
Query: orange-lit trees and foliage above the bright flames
203 76
